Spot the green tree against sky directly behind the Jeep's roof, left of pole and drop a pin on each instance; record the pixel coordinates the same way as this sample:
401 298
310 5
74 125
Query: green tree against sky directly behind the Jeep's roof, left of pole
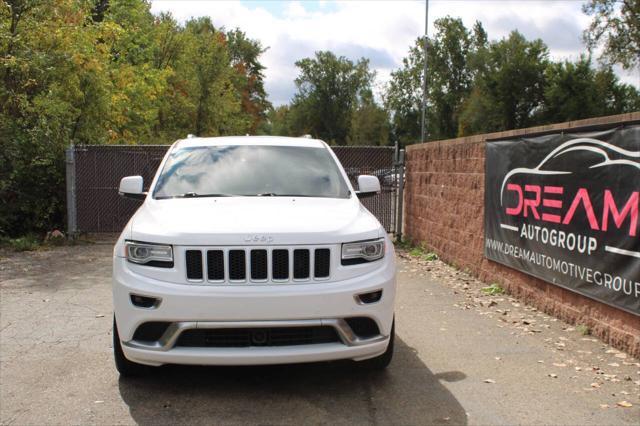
329 89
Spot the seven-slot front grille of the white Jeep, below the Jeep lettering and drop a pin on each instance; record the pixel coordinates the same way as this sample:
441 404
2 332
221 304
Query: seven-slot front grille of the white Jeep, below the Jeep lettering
278 264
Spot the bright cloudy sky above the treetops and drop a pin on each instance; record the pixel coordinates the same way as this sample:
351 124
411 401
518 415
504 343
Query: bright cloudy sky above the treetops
381 31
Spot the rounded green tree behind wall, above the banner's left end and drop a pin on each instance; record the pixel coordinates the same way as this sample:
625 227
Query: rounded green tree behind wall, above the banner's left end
508 88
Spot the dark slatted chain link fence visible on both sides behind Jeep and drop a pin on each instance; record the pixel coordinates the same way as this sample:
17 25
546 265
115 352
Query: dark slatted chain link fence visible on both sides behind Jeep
94 173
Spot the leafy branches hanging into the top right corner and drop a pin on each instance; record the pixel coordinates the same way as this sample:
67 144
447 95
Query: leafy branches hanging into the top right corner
615 26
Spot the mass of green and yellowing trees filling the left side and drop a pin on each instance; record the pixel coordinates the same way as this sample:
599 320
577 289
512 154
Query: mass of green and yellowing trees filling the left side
94 72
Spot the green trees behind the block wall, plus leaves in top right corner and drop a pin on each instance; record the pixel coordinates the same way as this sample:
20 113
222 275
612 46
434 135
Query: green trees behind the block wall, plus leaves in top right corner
476 86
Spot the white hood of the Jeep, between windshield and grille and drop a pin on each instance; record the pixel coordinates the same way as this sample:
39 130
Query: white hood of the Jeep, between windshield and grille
253 221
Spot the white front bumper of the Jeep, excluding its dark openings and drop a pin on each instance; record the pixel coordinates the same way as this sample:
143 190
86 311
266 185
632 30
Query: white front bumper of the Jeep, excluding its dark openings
250 306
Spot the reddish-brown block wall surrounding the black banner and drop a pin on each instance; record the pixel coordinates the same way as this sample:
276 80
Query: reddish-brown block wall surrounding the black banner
444 211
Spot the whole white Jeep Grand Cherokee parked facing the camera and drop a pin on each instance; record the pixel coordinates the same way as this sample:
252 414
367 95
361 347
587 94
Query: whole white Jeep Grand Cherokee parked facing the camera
252 250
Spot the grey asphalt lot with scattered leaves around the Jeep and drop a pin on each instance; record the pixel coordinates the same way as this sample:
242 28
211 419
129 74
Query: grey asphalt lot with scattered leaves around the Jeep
458 360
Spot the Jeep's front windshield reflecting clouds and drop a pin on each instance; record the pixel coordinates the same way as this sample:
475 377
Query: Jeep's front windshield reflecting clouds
250 170
